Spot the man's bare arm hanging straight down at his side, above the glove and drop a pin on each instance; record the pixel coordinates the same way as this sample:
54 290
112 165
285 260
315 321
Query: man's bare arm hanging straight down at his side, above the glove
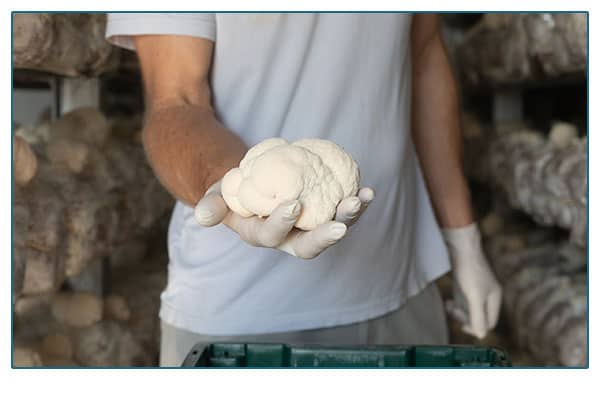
436 133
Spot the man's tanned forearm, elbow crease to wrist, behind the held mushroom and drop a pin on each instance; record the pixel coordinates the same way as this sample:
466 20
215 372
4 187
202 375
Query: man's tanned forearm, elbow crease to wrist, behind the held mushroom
189 149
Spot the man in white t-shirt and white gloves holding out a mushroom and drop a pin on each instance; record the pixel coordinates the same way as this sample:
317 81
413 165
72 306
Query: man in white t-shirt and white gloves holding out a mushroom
380 86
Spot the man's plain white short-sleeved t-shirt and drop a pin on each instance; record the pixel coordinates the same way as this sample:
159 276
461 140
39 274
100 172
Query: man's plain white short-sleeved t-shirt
342 77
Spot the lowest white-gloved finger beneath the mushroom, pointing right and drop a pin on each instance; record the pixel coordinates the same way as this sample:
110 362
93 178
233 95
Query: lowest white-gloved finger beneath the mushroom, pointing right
312 243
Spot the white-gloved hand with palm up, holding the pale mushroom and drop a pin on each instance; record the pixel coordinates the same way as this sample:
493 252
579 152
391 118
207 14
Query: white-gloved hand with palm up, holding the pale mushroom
277 230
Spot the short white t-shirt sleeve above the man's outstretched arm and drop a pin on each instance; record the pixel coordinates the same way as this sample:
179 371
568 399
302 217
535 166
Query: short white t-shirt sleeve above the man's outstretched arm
120 27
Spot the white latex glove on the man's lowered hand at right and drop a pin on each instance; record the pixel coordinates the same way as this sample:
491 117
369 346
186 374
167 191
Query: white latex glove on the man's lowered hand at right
477 293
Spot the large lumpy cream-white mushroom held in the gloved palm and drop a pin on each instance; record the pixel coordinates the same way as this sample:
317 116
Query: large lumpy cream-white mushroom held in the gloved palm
316 172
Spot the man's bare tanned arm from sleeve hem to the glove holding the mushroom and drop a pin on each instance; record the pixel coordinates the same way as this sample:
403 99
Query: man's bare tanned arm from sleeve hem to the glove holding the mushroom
188 148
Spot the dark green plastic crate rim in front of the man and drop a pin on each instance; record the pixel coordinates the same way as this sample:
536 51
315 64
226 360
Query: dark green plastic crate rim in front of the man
261 355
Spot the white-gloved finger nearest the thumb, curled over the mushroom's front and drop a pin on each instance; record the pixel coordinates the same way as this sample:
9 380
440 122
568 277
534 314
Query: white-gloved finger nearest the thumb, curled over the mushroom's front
278 225
